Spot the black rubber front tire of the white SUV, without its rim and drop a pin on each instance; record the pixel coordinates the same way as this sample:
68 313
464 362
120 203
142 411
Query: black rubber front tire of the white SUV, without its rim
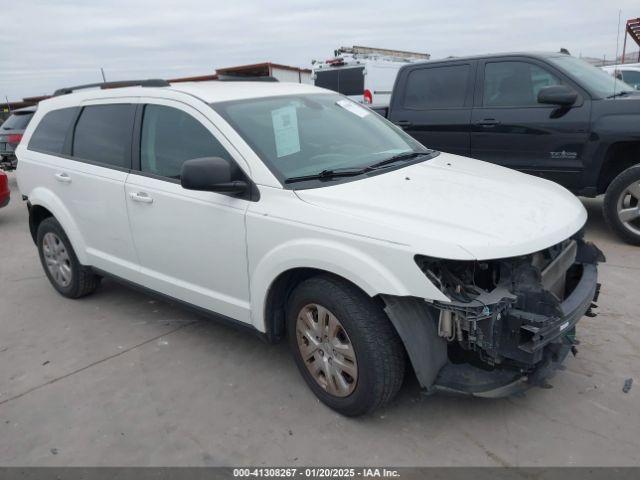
378 349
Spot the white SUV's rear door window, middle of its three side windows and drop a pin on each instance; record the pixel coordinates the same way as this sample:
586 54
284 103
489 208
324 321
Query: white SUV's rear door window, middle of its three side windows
103 135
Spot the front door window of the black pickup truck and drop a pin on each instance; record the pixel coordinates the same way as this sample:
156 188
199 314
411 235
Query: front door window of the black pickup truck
514 84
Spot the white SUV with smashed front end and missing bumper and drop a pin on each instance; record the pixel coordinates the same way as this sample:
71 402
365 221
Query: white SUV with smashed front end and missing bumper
297 213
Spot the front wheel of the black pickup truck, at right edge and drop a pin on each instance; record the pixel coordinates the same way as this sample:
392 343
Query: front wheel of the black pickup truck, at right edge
622 205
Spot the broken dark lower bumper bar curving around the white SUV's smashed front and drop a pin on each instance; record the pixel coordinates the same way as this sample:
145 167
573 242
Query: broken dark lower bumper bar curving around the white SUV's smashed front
549 345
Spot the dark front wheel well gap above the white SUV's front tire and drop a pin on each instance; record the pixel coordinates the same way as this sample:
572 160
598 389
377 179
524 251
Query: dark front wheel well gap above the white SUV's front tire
281 288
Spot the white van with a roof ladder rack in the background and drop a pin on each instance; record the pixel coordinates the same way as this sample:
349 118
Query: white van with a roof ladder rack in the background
364 74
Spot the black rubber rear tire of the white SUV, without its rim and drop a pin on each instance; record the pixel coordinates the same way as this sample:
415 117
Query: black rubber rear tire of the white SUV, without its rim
83 281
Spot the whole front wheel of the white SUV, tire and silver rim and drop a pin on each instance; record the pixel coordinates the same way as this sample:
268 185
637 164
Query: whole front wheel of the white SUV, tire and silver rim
344 345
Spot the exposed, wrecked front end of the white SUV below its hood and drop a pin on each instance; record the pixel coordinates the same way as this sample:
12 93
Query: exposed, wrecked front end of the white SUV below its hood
510 323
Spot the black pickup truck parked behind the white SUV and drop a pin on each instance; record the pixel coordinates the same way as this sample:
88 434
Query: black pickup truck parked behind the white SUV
551 115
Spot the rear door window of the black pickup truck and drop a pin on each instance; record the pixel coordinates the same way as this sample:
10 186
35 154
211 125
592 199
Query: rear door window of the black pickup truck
437 87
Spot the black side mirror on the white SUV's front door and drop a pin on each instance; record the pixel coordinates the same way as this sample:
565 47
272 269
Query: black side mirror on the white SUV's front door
210 174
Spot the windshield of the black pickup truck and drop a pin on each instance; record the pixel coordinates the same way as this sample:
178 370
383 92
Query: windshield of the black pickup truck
592 78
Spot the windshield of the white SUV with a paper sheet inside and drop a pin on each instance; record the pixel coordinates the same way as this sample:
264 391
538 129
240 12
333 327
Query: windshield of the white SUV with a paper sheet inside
308 134
